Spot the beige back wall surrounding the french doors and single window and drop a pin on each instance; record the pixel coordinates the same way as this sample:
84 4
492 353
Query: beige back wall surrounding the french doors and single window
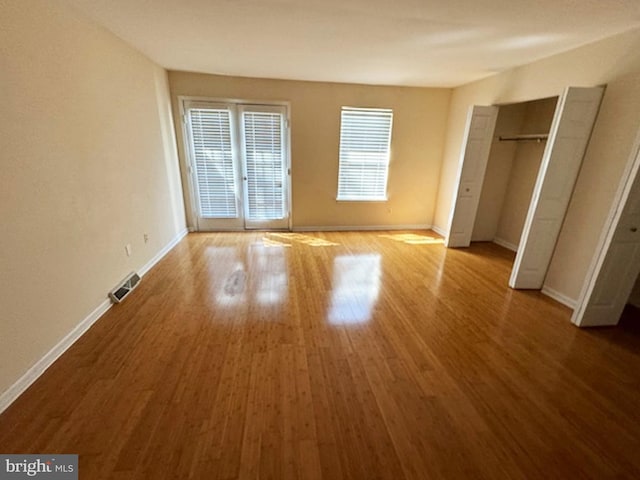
419 124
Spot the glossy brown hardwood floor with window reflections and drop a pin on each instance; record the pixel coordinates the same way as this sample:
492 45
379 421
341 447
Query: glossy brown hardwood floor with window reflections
338 355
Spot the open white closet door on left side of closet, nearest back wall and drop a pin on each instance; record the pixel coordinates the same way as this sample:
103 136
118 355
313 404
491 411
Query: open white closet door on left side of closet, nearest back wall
481 122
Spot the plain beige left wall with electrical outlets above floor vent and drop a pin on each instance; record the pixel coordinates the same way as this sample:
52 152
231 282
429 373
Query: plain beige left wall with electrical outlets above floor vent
88 165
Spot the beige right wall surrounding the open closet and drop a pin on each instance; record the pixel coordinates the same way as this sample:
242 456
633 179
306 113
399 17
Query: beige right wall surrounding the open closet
615 62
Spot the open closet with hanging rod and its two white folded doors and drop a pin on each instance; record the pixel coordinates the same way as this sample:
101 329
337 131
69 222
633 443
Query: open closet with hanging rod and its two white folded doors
514 187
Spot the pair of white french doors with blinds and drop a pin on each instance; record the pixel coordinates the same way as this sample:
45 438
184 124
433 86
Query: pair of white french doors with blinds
238 160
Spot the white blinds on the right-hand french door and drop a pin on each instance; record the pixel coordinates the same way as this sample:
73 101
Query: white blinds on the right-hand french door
264 164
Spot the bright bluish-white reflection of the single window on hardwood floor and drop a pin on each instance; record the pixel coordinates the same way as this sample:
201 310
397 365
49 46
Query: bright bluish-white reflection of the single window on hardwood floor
356 285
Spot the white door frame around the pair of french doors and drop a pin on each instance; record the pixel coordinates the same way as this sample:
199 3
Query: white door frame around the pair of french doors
186 169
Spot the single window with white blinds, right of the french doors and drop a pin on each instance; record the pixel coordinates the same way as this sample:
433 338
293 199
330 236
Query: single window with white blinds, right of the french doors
365 145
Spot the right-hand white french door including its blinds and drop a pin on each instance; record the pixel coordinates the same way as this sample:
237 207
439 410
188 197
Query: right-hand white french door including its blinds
265 166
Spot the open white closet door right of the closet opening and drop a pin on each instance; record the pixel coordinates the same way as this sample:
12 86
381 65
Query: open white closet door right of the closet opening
568 138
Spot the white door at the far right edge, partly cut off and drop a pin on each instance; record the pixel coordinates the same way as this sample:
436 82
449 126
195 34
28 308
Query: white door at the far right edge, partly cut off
617 264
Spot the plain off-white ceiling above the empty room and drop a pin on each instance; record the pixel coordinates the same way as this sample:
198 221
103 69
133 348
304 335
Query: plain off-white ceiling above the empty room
389 42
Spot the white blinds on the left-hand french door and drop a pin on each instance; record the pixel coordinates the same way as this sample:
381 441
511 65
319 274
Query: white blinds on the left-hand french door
213 158
